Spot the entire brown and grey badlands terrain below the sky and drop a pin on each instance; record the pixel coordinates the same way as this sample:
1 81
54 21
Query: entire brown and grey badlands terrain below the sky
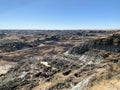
59 60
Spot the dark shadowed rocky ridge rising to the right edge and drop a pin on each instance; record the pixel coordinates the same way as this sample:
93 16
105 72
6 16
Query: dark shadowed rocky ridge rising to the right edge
111 44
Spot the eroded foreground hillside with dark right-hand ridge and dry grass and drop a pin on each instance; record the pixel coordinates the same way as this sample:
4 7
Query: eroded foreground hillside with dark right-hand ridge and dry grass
87 66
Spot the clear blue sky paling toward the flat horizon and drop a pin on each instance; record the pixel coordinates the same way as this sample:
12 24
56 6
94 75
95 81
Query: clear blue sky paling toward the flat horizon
59 14
